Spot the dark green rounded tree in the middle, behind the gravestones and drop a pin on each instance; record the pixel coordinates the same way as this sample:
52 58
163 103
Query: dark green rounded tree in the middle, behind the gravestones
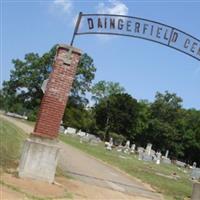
118 114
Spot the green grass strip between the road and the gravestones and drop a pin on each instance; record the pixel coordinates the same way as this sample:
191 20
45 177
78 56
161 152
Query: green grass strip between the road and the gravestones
171 189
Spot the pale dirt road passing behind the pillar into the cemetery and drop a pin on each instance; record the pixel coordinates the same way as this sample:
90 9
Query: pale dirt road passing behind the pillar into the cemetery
93 172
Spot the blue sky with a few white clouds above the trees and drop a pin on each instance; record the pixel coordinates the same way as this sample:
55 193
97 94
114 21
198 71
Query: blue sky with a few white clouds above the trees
141 67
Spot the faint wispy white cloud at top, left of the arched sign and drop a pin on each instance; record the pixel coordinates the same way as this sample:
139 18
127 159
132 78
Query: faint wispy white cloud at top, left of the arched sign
63 6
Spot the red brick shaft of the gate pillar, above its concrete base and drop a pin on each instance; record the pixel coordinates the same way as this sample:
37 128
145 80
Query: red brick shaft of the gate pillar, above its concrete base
57 91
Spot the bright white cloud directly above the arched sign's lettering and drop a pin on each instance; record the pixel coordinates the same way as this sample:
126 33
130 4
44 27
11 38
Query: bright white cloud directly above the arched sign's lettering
112 7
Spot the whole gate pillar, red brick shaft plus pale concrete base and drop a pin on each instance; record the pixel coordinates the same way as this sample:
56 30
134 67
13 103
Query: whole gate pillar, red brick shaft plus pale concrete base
40 151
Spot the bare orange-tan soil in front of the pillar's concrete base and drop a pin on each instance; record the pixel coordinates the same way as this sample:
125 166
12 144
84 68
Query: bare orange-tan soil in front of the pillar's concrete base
65 189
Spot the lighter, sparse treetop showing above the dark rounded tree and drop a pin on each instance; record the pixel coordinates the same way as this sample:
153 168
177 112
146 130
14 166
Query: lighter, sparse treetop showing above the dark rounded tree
103 89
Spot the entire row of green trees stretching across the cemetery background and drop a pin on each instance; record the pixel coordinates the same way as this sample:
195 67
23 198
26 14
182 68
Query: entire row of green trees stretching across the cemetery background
114 113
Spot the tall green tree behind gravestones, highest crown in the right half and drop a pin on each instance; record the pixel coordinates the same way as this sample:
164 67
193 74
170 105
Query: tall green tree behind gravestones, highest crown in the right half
162 131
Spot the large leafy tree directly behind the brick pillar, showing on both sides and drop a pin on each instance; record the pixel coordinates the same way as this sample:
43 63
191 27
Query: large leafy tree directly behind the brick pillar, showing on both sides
24 86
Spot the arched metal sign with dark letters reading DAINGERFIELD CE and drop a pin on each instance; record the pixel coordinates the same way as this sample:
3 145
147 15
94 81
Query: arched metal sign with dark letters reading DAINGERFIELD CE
123 25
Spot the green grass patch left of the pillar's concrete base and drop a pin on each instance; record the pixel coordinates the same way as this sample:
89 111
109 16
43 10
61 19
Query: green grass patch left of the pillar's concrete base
11 141
